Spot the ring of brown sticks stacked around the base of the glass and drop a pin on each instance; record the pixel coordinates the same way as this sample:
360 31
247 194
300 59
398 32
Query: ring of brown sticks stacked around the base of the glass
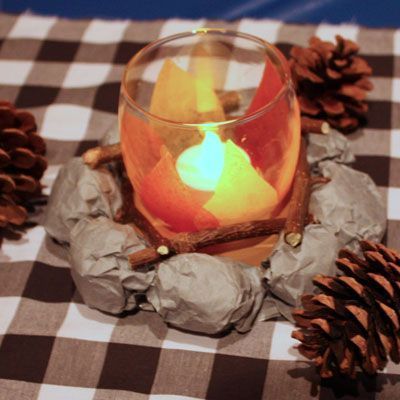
161 247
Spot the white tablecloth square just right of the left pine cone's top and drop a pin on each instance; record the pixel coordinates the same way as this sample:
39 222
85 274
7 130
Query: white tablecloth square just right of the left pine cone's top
65 121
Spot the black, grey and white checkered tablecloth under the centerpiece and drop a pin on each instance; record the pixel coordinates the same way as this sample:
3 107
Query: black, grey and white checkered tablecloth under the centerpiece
52 346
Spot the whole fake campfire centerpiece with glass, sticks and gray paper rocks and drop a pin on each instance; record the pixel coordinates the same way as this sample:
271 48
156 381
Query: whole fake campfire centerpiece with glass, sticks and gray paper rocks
209 154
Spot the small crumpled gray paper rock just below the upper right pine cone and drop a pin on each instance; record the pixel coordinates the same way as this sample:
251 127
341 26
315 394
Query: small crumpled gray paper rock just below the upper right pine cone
334 146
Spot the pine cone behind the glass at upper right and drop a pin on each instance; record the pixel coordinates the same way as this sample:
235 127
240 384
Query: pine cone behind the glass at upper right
332 82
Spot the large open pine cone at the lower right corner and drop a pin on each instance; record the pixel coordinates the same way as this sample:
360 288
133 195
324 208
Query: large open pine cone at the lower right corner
354 322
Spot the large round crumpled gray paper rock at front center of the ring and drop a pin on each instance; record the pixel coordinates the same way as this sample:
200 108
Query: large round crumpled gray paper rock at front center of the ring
207 294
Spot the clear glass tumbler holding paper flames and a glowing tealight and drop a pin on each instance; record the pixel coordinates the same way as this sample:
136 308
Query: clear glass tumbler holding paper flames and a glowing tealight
210 129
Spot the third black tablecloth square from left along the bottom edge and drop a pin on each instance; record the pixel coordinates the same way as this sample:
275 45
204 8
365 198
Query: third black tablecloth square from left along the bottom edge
239 378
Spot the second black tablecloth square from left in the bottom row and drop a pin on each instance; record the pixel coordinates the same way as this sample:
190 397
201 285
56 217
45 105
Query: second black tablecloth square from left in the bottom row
129 367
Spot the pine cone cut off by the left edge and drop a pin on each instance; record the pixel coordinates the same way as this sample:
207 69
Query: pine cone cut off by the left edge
22 164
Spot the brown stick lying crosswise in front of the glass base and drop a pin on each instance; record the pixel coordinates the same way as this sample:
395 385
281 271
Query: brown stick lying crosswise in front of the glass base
192 242
